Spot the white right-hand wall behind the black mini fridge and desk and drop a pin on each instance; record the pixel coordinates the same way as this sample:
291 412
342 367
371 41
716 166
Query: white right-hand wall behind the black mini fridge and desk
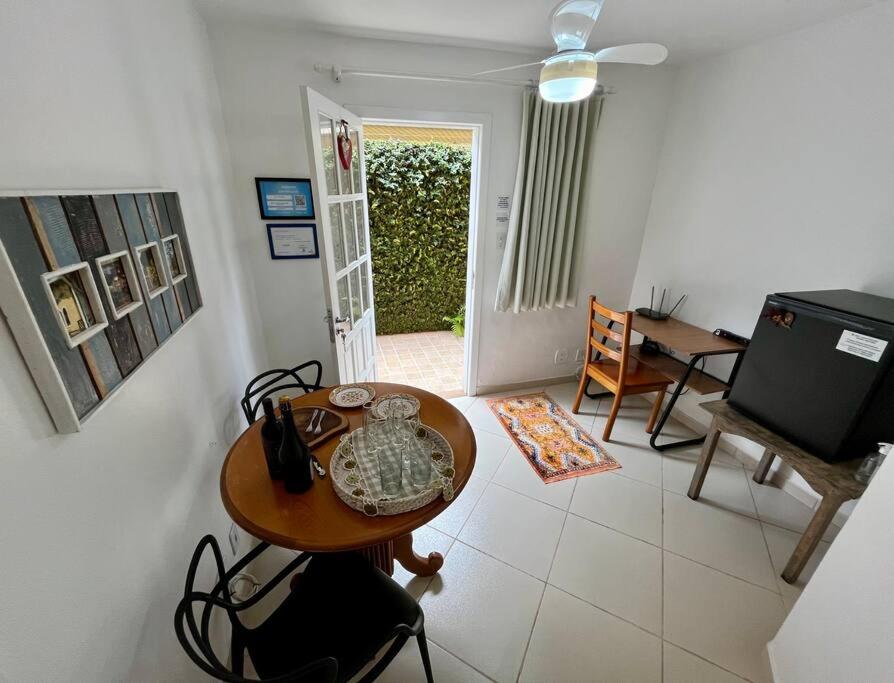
776 175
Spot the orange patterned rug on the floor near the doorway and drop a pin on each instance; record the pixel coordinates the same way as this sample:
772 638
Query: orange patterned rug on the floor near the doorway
554 444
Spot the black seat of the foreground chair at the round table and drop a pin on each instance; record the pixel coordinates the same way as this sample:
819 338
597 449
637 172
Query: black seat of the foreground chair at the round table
341 607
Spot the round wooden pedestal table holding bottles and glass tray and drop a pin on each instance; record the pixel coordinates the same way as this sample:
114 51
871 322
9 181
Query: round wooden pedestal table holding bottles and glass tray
318 521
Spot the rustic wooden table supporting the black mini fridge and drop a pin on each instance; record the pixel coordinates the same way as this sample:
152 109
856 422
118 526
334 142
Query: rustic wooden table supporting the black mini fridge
834 482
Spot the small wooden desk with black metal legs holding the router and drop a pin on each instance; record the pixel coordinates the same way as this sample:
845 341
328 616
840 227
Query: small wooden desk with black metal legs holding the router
694 342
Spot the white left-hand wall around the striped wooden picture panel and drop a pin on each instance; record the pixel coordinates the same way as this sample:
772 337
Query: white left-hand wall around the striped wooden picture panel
98 526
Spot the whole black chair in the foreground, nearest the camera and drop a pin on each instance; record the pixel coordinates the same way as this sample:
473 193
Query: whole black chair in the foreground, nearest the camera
340 612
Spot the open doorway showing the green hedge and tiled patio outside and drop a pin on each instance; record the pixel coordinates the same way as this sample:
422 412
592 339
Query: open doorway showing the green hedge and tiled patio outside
420 180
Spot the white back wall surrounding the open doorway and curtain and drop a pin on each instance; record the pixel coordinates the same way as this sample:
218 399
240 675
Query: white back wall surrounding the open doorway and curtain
260 68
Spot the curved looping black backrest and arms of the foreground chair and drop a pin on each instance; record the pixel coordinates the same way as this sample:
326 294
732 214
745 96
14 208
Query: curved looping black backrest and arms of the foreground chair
194 635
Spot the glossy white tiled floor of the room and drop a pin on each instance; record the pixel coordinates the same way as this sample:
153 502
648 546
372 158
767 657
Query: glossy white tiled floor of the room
610 577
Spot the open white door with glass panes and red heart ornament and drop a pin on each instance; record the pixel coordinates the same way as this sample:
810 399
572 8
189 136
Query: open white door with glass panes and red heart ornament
340 193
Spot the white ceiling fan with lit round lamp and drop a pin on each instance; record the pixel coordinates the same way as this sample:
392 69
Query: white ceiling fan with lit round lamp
570 74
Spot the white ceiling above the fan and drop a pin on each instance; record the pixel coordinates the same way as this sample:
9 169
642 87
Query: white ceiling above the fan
689 28
